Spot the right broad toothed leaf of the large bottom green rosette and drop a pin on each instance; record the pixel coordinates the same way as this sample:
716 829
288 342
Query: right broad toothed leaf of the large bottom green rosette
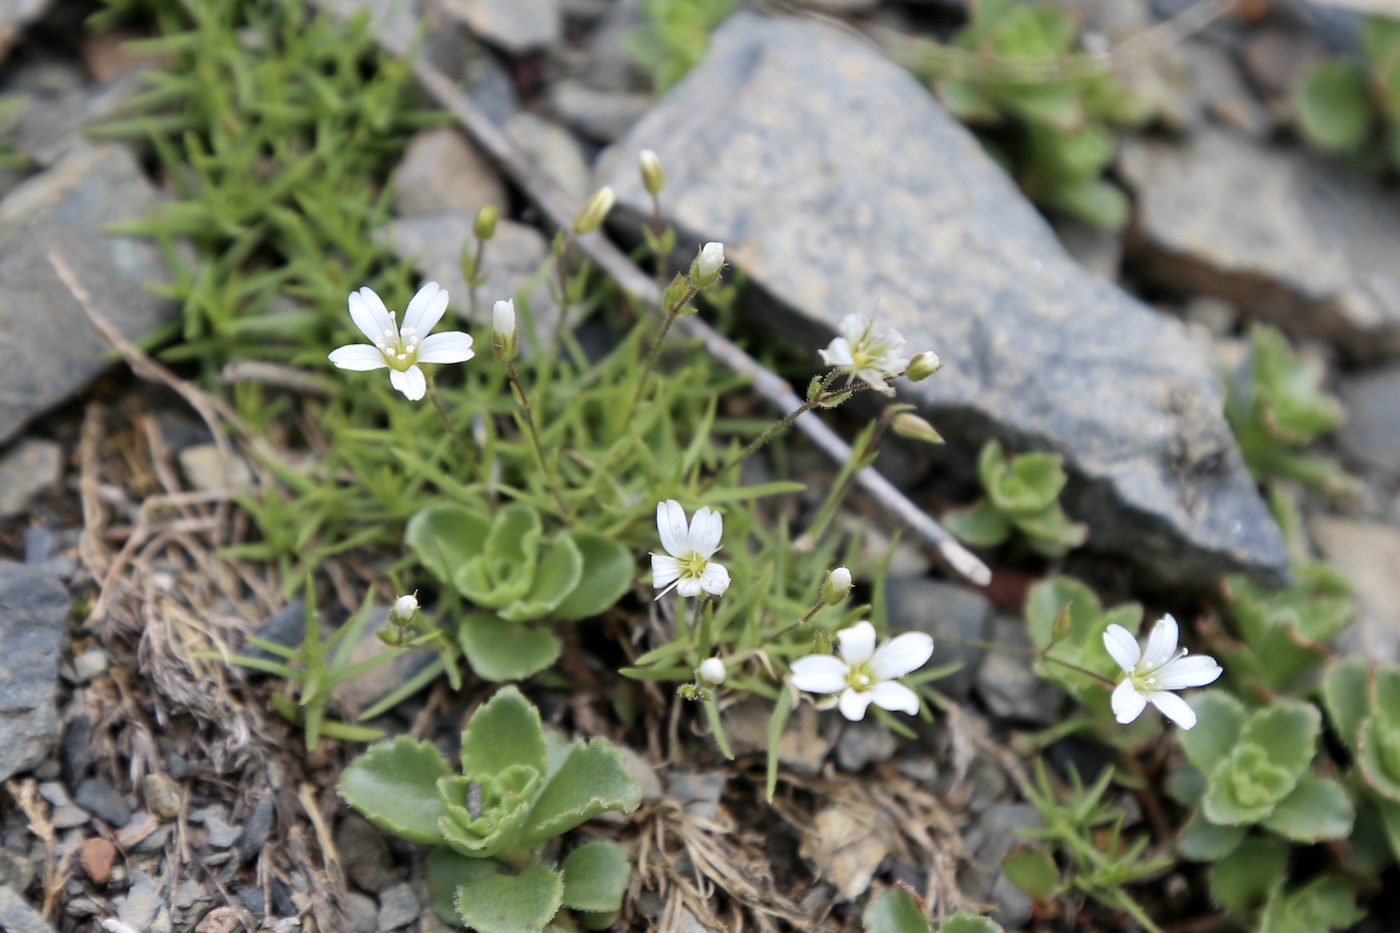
593 780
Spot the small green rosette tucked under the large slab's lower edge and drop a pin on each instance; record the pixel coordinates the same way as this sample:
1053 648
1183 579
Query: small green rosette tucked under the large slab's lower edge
1023 495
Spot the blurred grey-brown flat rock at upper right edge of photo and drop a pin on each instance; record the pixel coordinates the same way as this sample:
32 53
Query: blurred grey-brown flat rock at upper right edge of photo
1290 236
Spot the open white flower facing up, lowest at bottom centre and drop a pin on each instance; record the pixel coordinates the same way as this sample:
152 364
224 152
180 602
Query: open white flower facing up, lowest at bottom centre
866 675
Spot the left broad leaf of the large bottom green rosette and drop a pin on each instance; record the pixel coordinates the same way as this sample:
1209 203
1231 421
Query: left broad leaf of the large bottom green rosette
394 785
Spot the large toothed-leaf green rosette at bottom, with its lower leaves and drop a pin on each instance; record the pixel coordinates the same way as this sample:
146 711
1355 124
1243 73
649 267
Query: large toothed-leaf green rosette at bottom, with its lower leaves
519 791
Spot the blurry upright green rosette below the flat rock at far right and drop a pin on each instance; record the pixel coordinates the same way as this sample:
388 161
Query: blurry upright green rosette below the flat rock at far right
1276 406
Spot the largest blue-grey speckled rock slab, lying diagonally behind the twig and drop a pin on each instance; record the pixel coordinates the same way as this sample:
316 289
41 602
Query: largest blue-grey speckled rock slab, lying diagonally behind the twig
839 184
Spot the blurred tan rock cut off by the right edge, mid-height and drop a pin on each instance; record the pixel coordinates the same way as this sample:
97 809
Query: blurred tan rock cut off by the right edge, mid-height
1368 557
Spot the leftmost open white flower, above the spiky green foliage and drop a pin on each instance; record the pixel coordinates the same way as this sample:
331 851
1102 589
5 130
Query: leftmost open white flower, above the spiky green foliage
402 350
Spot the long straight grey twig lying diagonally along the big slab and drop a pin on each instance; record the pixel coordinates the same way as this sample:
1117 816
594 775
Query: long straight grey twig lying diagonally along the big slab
643 289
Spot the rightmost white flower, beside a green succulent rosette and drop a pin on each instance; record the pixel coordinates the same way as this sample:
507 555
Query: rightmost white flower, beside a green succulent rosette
1154 673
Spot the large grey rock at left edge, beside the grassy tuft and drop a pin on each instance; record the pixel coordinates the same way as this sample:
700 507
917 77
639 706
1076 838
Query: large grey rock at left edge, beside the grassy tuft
65 211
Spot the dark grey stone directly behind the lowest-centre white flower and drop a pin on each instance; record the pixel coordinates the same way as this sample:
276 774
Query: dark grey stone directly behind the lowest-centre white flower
944 611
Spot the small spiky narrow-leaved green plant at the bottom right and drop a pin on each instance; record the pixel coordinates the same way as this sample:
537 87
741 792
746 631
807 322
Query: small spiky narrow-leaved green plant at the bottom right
1088 831
